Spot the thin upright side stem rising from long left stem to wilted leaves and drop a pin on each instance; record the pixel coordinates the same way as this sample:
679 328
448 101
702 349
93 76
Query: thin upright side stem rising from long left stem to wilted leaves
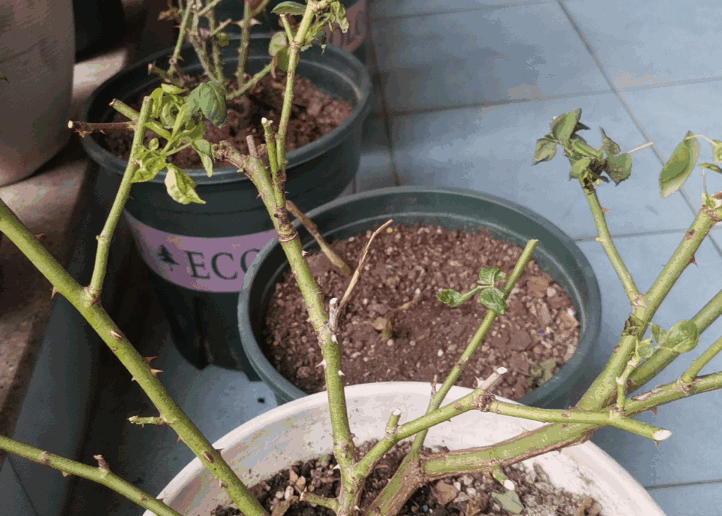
106 235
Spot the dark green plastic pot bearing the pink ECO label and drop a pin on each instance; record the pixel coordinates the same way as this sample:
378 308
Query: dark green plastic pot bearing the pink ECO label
200 253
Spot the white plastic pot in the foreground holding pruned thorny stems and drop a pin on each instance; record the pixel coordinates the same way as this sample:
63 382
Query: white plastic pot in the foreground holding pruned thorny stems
301 429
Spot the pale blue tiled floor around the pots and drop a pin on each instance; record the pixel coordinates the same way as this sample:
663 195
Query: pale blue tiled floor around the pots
463 94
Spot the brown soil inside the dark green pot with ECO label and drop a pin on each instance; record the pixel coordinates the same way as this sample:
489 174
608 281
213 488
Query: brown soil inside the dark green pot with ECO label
313 115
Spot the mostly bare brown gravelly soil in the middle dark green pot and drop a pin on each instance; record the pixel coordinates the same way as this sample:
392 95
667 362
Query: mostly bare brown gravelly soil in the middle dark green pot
407 267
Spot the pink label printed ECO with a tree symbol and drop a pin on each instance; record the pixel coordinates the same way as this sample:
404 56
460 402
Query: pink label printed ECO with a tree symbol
204 264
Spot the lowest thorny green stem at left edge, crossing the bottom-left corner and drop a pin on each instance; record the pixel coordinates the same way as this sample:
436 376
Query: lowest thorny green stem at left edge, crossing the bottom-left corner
96 474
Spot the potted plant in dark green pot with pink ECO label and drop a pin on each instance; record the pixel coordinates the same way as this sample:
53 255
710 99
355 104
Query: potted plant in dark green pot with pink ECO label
199 253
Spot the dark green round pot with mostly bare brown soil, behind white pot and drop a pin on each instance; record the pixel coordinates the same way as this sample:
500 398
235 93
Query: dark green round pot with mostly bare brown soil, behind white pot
556 254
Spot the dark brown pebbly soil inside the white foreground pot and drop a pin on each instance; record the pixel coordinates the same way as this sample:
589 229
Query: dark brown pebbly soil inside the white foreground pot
464 495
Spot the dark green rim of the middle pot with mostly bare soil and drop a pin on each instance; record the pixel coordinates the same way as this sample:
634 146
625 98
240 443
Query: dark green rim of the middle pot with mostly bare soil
588 337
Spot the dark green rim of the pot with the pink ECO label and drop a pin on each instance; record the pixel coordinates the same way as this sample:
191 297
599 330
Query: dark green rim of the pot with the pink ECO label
230 174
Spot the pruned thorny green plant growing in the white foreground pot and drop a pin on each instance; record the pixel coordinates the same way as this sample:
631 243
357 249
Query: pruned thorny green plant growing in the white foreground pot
635 361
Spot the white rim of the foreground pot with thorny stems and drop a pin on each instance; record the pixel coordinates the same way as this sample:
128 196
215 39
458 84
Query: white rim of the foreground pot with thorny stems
587 452
